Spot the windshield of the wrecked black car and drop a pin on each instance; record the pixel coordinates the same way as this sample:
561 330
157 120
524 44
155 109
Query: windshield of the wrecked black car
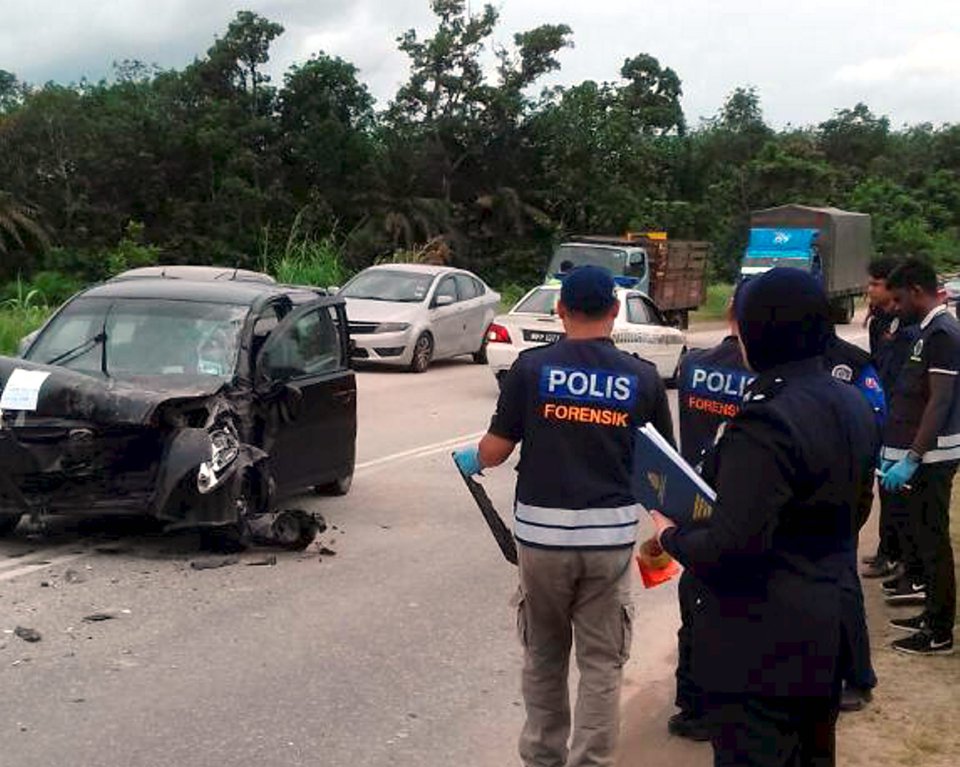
143 337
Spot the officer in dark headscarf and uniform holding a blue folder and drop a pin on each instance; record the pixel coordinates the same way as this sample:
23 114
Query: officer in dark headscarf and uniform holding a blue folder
794 476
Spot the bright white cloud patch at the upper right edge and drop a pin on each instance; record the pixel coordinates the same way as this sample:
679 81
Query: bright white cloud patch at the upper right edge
936 56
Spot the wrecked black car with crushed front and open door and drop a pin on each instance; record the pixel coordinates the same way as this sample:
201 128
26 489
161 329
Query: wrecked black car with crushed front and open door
200 401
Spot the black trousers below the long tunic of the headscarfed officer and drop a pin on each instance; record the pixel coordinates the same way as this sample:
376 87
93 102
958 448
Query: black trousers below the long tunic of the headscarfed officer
774 732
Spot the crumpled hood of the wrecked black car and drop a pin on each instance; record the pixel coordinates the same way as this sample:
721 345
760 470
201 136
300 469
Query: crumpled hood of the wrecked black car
71 395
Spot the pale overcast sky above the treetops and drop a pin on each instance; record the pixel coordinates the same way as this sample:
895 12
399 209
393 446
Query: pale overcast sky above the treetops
806 57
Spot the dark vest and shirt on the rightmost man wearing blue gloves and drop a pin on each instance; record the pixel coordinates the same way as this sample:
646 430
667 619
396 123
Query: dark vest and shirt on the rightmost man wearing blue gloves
936 350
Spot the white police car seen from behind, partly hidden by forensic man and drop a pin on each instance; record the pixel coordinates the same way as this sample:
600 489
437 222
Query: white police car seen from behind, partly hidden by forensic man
639 329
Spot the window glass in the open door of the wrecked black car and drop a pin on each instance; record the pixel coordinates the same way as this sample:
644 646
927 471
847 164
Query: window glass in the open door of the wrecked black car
310 346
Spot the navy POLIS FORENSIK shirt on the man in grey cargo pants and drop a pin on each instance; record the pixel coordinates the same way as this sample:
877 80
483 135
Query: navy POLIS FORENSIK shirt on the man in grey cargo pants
575 405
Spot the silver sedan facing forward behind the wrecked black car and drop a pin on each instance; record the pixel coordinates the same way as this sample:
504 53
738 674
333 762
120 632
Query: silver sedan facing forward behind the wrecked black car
411 314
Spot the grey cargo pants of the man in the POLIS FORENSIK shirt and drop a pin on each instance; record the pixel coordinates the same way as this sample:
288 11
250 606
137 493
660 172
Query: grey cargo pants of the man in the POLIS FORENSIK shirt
583 598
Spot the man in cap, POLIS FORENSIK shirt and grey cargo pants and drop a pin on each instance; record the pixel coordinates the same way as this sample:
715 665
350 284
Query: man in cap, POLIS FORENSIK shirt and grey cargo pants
574 406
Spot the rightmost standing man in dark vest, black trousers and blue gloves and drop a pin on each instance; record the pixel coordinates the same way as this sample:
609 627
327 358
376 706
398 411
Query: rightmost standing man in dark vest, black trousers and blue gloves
921 450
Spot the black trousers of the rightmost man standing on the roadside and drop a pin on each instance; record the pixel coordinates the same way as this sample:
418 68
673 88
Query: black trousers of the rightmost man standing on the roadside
927 541
